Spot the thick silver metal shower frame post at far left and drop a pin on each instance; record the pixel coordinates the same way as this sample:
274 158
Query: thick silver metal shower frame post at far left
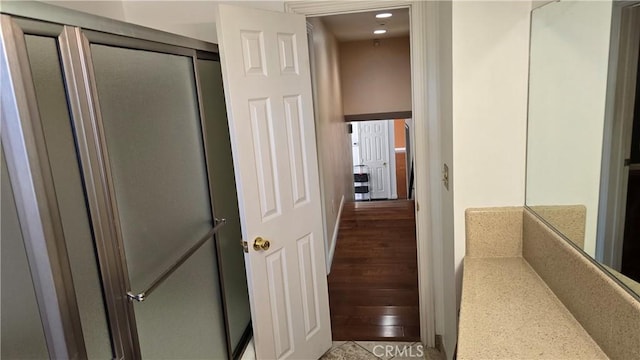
38 213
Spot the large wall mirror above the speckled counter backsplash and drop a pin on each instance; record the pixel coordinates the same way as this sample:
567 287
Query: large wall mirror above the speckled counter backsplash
582 55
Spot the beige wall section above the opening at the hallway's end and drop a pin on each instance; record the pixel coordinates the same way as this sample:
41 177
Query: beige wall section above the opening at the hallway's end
376 79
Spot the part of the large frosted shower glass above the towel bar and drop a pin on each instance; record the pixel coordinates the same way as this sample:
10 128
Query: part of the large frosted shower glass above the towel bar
150 115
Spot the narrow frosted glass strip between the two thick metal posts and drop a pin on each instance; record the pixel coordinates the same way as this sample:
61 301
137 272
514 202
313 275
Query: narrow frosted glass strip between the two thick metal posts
52 105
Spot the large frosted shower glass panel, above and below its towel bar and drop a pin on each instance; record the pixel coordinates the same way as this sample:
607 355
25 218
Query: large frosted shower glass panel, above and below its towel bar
152 127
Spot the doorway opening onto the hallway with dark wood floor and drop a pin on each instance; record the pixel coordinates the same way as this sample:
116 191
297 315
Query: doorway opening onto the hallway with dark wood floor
362 94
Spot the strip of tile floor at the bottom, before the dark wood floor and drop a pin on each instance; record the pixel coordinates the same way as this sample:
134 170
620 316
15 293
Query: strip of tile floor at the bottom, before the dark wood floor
369 350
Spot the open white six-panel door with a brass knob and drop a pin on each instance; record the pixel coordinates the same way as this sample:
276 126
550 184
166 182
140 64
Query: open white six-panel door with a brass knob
267 80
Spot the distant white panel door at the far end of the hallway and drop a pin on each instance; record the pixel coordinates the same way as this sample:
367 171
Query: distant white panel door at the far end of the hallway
374 150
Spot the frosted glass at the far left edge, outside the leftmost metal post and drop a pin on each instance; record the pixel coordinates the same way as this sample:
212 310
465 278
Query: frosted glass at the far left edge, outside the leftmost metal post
22 332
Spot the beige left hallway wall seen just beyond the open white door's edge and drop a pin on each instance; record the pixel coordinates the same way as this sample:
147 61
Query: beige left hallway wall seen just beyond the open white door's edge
334 143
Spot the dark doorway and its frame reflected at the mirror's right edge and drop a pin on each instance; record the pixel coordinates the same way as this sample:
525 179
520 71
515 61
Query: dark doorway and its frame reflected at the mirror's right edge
617 245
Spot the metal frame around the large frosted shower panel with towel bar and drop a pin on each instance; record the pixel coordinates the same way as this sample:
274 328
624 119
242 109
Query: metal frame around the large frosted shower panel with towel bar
87 120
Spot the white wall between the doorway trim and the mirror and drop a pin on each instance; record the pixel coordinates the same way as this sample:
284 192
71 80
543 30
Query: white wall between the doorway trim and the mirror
490 66
